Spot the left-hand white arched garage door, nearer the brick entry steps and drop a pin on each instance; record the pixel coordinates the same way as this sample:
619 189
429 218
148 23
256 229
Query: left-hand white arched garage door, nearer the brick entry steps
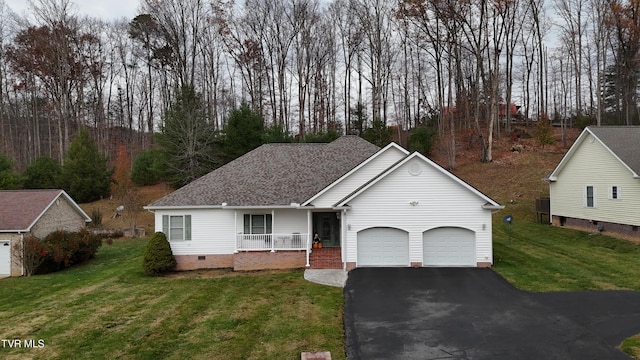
383 247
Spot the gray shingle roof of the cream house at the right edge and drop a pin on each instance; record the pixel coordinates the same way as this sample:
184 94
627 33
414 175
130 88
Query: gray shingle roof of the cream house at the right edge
624 141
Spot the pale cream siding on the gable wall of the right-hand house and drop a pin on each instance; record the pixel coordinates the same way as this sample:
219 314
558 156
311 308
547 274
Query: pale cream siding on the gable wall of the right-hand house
593 165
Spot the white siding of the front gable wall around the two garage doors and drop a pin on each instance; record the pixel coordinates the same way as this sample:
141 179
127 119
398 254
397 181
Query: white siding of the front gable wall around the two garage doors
438 200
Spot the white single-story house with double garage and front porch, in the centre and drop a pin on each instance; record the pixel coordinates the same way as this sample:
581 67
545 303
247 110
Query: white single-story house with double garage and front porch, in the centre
368 206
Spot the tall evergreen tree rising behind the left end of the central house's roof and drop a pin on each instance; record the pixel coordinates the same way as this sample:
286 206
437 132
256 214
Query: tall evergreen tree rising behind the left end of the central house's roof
187 140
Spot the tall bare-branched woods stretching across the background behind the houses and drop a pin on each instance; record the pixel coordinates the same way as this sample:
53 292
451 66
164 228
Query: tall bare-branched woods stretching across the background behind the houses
312 67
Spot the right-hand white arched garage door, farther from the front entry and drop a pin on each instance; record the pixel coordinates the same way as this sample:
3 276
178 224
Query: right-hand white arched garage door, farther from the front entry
449 246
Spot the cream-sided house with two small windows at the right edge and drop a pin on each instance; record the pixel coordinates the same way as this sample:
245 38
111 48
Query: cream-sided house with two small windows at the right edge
596 185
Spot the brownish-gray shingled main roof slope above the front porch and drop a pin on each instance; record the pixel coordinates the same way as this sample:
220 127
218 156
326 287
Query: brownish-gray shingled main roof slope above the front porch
273 174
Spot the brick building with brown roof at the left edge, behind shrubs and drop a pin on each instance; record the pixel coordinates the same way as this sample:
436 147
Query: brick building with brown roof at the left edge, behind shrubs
37 213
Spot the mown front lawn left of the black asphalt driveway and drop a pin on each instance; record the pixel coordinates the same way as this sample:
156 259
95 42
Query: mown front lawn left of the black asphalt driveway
109 309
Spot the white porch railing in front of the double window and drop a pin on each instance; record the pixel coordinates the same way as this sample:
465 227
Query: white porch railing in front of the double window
273 242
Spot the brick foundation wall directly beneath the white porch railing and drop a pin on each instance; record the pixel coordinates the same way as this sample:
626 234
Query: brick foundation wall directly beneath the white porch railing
261 260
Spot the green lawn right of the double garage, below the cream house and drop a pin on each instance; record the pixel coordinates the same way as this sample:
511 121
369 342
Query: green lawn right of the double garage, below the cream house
546 258
